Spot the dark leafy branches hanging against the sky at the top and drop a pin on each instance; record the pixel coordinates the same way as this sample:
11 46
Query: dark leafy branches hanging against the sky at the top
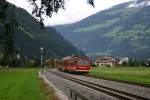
48 7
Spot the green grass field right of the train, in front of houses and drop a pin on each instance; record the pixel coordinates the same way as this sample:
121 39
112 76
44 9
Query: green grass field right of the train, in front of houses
132 74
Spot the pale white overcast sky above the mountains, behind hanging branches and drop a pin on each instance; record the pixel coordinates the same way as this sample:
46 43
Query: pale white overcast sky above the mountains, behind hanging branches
76 10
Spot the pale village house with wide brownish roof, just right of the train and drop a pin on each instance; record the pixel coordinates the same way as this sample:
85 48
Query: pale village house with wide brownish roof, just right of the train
105 61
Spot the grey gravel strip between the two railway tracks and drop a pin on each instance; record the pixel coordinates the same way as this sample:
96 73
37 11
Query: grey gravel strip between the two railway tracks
133 89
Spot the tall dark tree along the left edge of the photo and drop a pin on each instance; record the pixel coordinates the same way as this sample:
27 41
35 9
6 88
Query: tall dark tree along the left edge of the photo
10 25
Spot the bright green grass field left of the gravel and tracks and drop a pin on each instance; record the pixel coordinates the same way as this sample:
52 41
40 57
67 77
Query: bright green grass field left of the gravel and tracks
21 84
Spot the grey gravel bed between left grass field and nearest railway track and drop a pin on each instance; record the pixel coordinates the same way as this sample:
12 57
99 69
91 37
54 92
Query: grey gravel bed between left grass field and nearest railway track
73 90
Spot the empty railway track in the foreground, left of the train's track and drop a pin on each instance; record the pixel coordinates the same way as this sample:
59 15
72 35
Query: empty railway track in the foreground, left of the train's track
106 90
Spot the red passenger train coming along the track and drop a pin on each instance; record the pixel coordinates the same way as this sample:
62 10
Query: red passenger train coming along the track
74 64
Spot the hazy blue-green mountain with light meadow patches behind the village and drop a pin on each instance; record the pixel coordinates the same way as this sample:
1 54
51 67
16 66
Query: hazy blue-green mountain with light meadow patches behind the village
122 30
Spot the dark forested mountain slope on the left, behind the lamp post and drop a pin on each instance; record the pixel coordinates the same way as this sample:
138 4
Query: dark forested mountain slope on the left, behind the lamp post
29 36
